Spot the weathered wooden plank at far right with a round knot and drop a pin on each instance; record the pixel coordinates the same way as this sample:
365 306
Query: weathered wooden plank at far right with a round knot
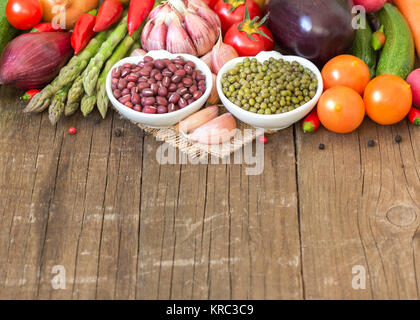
359 206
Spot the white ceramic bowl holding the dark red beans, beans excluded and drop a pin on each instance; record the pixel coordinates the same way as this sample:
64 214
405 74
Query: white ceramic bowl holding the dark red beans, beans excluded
167 119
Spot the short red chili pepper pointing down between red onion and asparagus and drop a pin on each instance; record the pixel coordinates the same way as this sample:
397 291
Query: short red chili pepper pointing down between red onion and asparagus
83 31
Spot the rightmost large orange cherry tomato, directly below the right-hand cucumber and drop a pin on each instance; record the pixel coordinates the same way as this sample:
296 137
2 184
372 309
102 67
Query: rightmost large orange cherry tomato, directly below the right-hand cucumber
388 99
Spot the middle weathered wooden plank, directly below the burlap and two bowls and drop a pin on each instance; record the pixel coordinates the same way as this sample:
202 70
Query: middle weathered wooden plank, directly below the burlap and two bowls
211 231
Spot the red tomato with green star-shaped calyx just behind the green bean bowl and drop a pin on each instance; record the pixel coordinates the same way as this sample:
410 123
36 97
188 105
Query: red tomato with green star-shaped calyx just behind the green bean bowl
250 37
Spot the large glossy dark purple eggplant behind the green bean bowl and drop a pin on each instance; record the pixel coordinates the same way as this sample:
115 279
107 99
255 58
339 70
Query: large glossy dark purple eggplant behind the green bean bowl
314 29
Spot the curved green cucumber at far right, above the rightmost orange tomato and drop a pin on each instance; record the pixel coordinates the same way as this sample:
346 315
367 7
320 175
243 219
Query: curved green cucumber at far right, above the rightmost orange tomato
398 54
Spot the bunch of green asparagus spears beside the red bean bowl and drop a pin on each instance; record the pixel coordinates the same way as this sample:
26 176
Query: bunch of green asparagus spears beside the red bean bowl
81 83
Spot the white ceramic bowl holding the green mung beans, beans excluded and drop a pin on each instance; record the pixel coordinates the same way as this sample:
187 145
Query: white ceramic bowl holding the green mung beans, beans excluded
276 121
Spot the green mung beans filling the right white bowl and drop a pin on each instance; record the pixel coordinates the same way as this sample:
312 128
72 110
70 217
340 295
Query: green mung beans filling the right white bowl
272 87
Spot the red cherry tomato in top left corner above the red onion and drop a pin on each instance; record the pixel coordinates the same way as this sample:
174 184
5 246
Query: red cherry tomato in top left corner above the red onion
24 14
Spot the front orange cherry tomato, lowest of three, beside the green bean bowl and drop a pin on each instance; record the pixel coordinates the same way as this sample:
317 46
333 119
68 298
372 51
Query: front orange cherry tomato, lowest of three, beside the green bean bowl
341 109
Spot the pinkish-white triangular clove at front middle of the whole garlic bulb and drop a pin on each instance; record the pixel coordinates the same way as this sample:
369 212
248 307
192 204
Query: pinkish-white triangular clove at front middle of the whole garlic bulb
178 40
